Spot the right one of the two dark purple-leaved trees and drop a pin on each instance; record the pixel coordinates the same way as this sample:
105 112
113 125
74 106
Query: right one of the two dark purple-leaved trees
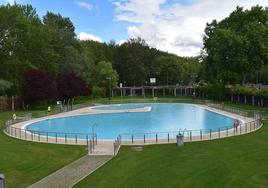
70 86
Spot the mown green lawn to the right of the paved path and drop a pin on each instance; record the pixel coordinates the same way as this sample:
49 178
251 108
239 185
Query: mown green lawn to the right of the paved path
240 161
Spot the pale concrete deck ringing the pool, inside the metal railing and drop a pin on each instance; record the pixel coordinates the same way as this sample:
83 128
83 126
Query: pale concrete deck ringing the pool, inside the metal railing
106 147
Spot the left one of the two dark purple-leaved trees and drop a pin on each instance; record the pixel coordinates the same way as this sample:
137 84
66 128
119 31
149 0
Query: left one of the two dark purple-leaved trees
39 85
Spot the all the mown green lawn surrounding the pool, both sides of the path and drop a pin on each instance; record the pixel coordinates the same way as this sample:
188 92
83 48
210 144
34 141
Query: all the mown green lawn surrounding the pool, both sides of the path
233 162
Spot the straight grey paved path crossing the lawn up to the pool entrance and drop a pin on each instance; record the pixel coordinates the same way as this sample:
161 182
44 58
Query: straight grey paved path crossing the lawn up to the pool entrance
72 173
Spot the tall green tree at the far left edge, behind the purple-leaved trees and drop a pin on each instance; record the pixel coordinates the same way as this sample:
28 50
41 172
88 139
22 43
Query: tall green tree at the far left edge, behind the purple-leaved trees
24 44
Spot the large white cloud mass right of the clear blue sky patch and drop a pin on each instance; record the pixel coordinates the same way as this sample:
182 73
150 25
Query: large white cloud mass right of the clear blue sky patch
174 27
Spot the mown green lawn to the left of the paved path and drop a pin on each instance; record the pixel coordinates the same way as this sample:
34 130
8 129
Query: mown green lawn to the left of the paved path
24 163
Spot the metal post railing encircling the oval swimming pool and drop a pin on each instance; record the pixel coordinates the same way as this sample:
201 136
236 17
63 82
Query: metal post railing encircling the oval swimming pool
90 139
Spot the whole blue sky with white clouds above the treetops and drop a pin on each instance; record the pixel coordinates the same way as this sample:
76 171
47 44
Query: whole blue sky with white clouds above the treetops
175 26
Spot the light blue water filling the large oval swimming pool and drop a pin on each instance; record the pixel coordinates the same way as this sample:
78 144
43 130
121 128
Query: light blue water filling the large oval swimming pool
161 118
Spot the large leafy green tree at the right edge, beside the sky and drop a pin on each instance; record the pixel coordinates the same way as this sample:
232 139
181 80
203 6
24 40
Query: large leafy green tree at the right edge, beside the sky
236 46
